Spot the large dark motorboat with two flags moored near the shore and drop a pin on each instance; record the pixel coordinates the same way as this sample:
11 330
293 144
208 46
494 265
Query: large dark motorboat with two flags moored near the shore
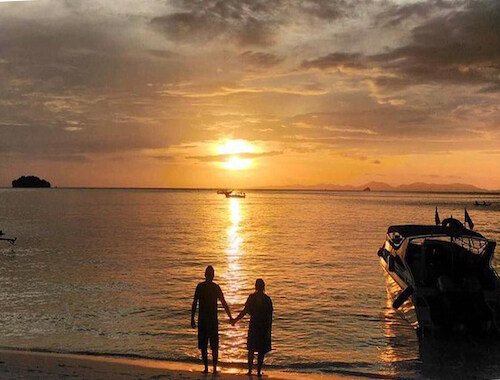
440 276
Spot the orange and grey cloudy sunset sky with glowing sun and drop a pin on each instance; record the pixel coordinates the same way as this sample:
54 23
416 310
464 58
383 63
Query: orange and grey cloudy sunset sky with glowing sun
250 93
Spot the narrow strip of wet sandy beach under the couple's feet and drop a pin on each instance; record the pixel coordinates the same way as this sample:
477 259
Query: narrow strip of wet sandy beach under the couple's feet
17 364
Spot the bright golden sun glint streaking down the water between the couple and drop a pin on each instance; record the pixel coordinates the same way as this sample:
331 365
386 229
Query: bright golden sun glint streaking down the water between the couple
233 344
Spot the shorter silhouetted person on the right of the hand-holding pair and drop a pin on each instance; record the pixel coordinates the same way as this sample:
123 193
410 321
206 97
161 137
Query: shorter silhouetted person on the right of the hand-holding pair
260 308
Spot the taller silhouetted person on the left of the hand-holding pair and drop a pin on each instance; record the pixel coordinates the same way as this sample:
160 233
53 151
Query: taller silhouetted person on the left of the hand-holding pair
207 294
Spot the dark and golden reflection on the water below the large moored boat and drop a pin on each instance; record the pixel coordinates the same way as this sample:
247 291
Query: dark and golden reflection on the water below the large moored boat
437 356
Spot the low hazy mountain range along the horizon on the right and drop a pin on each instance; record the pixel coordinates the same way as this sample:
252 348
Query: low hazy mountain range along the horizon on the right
382 186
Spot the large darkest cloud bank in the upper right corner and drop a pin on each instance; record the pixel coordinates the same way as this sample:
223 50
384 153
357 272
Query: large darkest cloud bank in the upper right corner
459 47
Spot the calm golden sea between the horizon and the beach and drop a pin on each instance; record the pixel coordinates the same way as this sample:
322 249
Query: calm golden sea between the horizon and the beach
114 271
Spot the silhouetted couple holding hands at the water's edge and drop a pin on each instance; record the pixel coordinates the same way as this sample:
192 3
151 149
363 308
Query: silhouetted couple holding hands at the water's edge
258 305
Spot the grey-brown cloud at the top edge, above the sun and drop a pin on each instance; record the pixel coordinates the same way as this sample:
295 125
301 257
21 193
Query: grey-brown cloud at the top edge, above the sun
245 22
